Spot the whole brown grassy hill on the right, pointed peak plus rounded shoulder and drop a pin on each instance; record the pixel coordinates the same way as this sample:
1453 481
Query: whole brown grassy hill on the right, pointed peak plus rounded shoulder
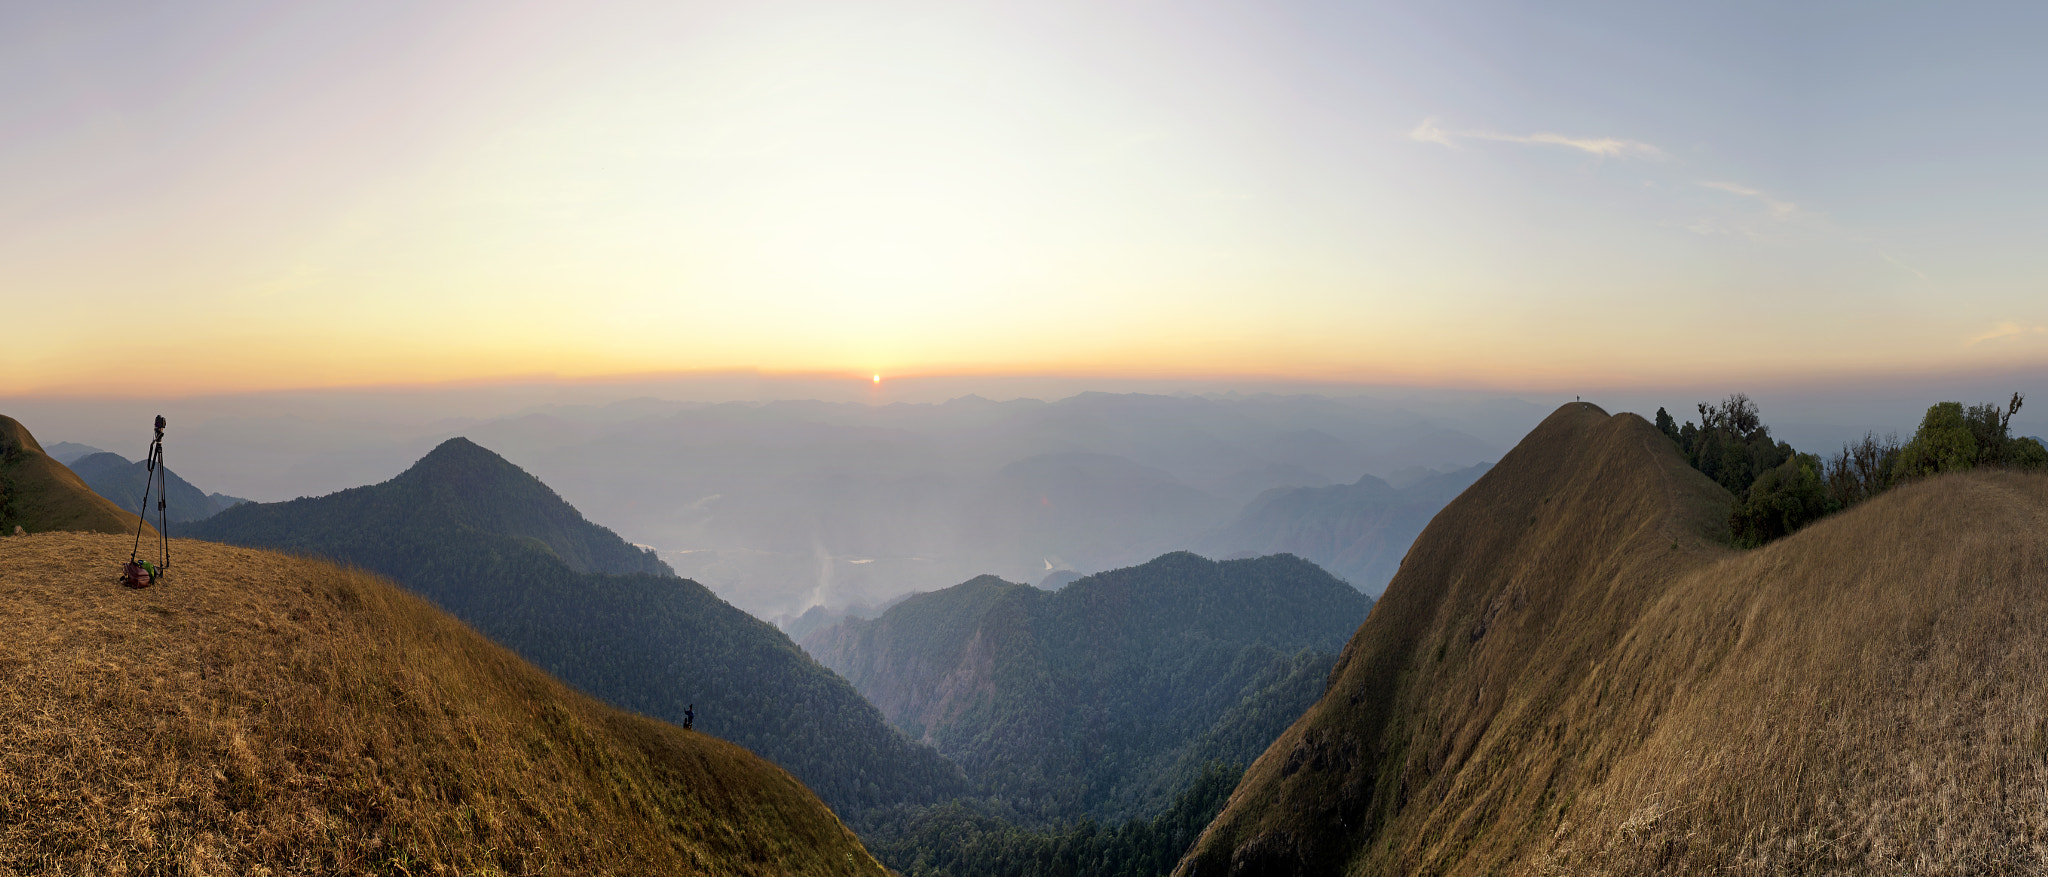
1574 675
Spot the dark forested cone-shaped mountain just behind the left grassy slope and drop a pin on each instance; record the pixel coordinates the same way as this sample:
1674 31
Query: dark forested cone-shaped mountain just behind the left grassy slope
499 550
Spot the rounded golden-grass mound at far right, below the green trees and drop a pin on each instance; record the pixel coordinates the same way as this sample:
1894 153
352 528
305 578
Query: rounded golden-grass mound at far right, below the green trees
1867 696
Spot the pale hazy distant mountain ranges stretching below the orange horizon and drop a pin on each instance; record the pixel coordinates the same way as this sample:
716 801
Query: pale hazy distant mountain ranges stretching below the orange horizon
787 505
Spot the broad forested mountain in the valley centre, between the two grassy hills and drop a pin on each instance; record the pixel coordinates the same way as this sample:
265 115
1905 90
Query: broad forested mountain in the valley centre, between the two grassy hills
1111 696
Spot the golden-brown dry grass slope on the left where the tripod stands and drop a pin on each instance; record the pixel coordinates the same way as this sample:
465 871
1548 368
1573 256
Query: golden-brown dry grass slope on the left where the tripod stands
265 714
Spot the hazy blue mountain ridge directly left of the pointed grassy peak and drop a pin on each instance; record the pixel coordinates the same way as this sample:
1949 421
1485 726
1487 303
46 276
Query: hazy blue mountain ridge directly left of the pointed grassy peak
1357 532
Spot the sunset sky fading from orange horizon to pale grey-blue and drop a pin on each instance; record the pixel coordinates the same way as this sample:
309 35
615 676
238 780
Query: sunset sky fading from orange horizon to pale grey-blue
220 198
